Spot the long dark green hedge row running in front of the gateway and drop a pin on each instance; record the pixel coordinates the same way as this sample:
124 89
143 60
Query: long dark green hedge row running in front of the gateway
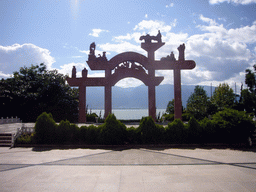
227 126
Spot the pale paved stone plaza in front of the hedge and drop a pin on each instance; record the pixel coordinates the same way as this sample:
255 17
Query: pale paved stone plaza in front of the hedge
32 169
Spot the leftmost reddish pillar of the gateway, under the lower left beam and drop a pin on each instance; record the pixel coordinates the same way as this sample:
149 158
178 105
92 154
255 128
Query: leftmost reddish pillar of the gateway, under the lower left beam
82 104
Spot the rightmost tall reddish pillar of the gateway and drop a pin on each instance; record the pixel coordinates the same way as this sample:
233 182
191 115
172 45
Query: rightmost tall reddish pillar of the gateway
177 95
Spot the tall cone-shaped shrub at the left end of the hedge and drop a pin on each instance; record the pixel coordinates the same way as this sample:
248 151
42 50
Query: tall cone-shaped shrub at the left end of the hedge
45 129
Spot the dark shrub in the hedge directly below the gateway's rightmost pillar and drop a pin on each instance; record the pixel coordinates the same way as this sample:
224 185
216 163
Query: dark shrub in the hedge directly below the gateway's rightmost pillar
176 132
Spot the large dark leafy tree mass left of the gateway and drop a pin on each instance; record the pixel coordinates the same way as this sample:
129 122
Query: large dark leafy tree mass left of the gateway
34 90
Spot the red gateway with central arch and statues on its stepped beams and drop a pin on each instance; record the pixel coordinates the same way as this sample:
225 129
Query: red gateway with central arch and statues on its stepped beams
131 64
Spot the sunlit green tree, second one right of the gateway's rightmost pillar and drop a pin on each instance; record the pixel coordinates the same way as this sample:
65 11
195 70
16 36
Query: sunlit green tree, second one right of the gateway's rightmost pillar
223 97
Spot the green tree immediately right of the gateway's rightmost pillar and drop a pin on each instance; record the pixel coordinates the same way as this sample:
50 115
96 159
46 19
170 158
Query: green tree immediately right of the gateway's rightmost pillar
198 102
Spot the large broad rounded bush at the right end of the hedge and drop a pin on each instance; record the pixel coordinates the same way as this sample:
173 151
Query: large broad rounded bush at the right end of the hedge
233 126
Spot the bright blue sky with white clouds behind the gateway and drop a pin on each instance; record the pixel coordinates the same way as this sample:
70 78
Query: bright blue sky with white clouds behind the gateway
220 35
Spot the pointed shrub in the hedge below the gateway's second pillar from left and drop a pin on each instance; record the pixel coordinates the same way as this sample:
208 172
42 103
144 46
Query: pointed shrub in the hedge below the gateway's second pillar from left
112 132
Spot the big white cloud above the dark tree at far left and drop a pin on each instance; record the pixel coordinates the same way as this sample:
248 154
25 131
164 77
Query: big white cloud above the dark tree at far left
15 56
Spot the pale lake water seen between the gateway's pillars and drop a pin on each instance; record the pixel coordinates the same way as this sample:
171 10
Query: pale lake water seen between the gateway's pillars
127 114
